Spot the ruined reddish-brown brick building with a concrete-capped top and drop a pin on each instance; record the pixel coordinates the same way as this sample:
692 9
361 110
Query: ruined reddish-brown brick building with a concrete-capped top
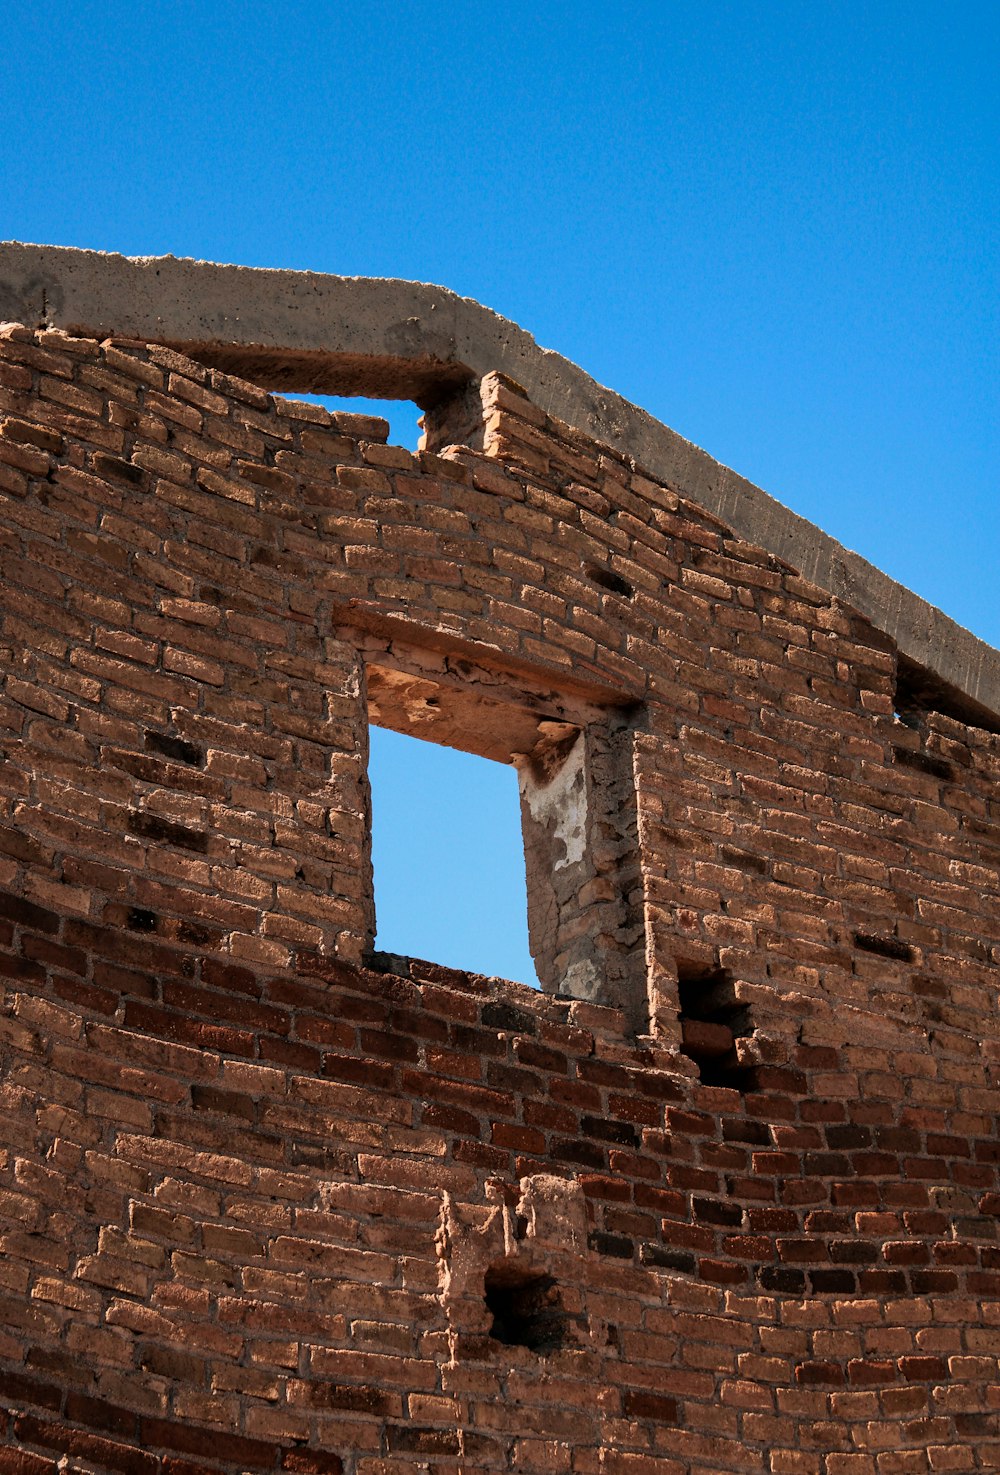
723 1197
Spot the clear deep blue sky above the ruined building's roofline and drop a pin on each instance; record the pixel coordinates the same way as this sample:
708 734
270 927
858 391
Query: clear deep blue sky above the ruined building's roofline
772 225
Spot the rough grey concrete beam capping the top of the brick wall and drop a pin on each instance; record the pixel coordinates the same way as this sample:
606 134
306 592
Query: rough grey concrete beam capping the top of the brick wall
406 340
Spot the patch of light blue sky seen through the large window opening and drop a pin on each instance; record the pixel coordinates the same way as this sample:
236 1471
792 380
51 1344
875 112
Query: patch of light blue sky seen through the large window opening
448 858
